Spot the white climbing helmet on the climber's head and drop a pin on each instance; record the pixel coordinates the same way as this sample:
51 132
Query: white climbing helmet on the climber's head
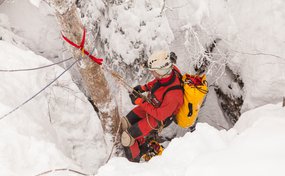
160 62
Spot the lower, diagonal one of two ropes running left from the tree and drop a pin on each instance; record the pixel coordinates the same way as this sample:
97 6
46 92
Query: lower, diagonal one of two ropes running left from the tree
16 108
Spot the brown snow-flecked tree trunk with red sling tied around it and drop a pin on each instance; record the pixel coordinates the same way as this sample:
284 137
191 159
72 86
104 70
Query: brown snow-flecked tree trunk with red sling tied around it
92 74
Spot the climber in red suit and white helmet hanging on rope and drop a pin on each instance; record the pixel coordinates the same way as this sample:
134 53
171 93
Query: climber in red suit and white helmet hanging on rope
161 108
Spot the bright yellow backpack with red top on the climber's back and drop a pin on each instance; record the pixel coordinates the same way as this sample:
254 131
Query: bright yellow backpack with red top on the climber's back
195 90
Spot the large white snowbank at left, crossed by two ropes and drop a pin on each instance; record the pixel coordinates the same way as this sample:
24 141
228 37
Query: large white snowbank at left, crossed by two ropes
53 130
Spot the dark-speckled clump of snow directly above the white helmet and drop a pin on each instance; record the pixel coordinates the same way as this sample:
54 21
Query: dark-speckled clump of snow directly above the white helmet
132 26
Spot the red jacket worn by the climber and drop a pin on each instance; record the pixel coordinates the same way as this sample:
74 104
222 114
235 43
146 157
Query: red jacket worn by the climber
172 100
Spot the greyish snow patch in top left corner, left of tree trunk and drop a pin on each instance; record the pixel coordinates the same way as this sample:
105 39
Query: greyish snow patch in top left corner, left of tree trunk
34 24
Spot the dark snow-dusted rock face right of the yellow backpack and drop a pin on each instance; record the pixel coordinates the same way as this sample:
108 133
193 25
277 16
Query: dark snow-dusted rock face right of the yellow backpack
228 87
